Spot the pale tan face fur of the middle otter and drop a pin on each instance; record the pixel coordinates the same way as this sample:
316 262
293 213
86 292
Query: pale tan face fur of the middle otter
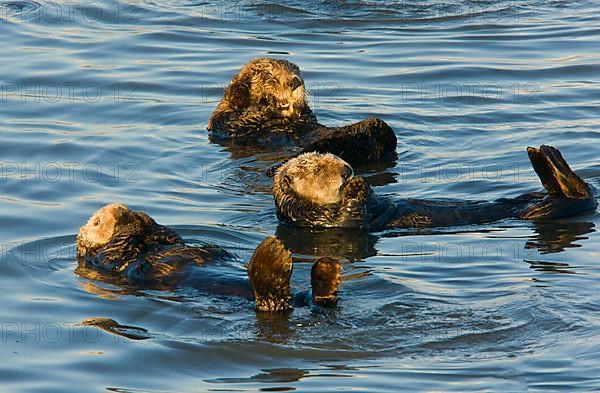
316 177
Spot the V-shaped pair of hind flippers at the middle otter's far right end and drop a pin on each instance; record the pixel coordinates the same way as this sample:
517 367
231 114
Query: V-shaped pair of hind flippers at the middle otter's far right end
568 194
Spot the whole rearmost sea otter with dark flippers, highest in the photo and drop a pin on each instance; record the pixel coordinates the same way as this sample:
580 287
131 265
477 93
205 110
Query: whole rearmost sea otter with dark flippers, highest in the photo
265 105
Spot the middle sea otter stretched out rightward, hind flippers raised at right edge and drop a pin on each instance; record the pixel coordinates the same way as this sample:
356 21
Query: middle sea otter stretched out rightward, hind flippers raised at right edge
320 190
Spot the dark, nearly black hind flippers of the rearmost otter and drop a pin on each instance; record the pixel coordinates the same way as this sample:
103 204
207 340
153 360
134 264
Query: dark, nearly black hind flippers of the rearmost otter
366 141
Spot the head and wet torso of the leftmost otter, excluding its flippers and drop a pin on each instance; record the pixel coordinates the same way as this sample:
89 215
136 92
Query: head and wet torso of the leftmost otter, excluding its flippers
135 249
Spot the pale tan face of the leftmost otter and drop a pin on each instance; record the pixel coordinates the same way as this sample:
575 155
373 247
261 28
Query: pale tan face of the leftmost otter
103 226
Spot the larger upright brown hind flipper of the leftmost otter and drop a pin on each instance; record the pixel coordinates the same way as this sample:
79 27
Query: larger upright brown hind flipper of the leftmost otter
269 270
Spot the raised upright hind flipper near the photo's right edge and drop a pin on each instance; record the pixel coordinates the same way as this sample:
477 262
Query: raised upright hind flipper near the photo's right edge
556 175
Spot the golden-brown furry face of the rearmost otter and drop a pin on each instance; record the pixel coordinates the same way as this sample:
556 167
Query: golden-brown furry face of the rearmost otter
274 84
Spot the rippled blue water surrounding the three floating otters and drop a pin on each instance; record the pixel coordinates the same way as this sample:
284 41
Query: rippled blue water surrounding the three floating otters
108 101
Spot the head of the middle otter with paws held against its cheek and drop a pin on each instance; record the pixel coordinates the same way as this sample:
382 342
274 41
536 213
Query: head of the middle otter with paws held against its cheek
315 189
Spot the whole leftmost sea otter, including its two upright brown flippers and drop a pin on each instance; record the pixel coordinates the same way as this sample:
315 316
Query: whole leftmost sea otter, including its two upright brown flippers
130 248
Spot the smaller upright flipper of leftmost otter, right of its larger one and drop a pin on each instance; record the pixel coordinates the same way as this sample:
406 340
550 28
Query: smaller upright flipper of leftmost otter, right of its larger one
325 277
